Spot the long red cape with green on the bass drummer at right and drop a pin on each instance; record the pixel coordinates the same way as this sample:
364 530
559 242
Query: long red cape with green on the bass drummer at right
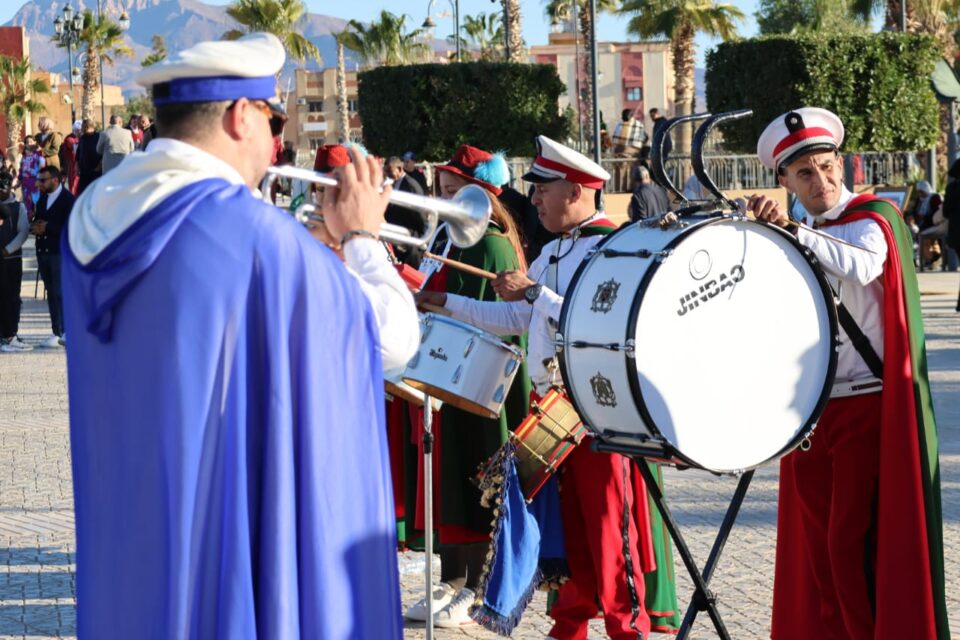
909 569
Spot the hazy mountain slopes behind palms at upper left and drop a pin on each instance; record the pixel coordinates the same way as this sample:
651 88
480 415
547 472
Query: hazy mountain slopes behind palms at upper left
182 23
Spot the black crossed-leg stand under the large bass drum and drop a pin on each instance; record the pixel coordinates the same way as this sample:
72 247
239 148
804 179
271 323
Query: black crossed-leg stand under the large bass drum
703 598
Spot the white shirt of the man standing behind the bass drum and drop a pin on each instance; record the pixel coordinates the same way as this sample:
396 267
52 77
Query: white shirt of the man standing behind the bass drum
856 275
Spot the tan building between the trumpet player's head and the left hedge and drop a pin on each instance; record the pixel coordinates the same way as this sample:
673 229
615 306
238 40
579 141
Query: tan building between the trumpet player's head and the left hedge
312 105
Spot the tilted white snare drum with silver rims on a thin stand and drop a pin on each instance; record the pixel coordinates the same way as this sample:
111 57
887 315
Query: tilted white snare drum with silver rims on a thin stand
462 365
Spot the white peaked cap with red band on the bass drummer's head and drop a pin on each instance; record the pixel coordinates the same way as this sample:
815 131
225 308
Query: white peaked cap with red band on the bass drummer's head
797 132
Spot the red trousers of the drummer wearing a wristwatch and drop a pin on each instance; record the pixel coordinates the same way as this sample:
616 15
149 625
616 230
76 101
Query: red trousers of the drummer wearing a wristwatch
592 492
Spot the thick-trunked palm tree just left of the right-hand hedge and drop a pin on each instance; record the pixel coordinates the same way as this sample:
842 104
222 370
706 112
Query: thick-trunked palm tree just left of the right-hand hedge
680 21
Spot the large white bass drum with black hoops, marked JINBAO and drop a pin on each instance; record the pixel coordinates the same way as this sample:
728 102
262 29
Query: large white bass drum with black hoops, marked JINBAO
714 341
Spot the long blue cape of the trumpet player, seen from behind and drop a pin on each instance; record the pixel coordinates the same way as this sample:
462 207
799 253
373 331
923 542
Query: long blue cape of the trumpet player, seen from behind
229 455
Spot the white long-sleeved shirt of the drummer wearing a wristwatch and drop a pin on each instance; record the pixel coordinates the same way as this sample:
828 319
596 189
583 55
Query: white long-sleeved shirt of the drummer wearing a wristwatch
516 318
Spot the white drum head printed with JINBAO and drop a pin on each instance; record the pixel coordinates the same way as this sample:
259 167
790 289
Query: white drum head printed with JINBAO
733 345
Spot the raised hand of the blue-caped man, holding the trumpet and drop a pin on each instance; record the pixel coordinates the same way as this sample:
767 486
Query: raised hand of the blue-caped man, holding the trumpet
356 205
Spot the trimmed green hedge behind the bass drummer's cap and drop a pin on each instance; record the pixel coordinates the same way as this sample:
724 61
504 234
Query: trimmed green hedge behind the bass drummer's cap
879 85
